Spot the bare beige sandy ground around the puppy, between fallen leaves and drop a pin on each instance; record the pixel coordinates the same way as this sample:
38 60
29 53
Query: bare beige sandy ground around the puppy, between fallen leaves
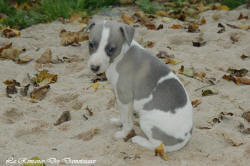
27 130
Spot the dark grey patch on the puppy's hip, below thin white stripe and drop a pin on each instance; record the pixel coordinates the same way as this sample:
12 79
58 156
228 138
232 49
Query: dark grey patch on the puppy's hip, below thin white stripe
167 96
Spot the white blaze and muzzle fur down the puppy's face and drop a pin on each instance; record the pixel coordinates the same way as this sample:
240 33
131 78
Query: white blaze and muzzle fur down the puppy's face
99 58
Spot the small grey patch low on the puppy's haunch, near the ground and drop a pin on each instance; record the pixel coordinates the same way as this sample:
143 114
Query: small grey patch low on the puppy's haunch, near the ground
166 139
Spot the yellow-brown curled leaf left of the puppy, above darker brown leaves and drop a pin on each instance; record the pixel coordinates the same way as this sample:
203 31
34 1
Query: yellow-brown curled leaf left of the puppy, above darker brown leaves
44 77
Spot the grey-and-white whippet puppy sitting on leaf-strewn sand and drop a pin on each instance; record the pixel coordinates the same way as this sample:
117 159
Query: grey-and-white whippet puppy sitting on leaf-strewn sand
142 83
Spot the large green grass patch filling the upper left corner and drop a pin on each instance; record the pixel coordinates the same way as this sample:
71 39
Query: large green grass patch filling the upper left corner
46 10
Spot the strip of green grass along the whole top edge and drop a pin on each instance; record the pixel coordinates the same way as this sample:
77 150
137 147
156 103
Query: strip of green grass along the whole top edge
13 14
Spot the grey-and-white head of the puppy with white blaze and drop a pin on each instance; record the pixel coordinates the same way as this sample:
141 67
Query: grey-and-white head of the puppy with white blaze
107 39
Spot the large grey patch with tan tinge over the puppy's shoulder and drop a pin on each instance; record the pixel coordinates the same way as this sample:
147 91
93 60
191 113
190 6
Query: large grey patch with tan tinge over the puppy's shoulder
139 73
